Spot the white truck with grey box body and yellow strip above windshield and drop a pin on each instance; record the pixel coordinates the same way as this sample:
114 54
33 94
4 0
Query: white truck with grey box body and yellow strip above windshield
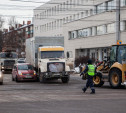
46 54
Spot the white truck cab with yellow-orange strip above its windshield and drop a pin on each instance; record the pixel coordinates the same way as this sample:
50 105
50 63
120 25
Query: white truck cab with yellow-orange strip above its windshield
52 64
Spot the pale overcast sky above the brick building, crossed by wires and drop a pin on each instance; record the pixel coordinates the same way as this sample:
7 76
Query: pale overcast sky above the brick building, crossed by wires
21 10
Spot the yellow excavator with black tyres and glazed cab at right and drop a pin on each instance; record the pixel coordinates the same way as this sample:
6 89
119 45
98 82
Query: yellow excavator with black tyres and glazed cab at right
112 70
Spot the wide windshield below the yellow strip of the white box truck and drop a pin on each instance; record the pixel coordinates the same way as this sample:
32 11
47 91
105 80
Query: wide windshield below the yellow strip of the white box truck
52 54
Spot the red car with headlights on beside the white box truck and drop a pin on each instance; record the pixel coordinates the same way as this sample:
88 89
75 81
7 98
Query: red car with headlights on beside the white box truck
23 72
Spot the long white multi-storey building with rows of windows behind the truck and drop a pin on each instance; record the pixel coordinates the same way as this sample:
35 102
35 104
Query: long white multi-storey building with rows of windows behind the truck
88 26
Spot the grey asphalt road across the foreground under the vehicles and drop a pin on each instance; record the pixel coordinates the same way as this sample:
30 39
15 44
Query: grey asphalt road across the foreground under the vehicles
56 97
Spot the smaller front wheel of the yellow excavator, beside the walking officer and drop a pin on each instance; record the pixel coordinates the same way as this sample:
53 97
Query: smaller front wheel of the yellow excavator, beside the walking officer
98 80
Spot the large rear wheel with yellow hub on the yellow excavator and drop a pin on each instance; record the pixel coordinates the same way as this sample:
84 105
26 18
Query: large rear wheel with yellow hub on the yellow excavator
115 78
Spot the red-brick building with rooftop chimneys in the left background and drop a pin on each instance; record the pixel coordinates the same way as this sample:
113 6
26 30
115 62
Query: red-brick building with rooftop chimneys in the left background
14 38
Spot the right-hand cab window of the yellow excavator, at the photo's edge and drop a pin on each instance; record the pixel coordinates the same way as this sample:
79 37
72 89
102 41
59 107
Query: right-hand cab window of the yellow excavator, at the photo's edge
121 53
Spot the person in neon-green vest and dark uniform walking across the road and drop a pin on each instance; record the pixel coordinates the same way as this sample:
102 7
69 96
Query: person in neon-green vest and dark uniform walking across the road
90 70
